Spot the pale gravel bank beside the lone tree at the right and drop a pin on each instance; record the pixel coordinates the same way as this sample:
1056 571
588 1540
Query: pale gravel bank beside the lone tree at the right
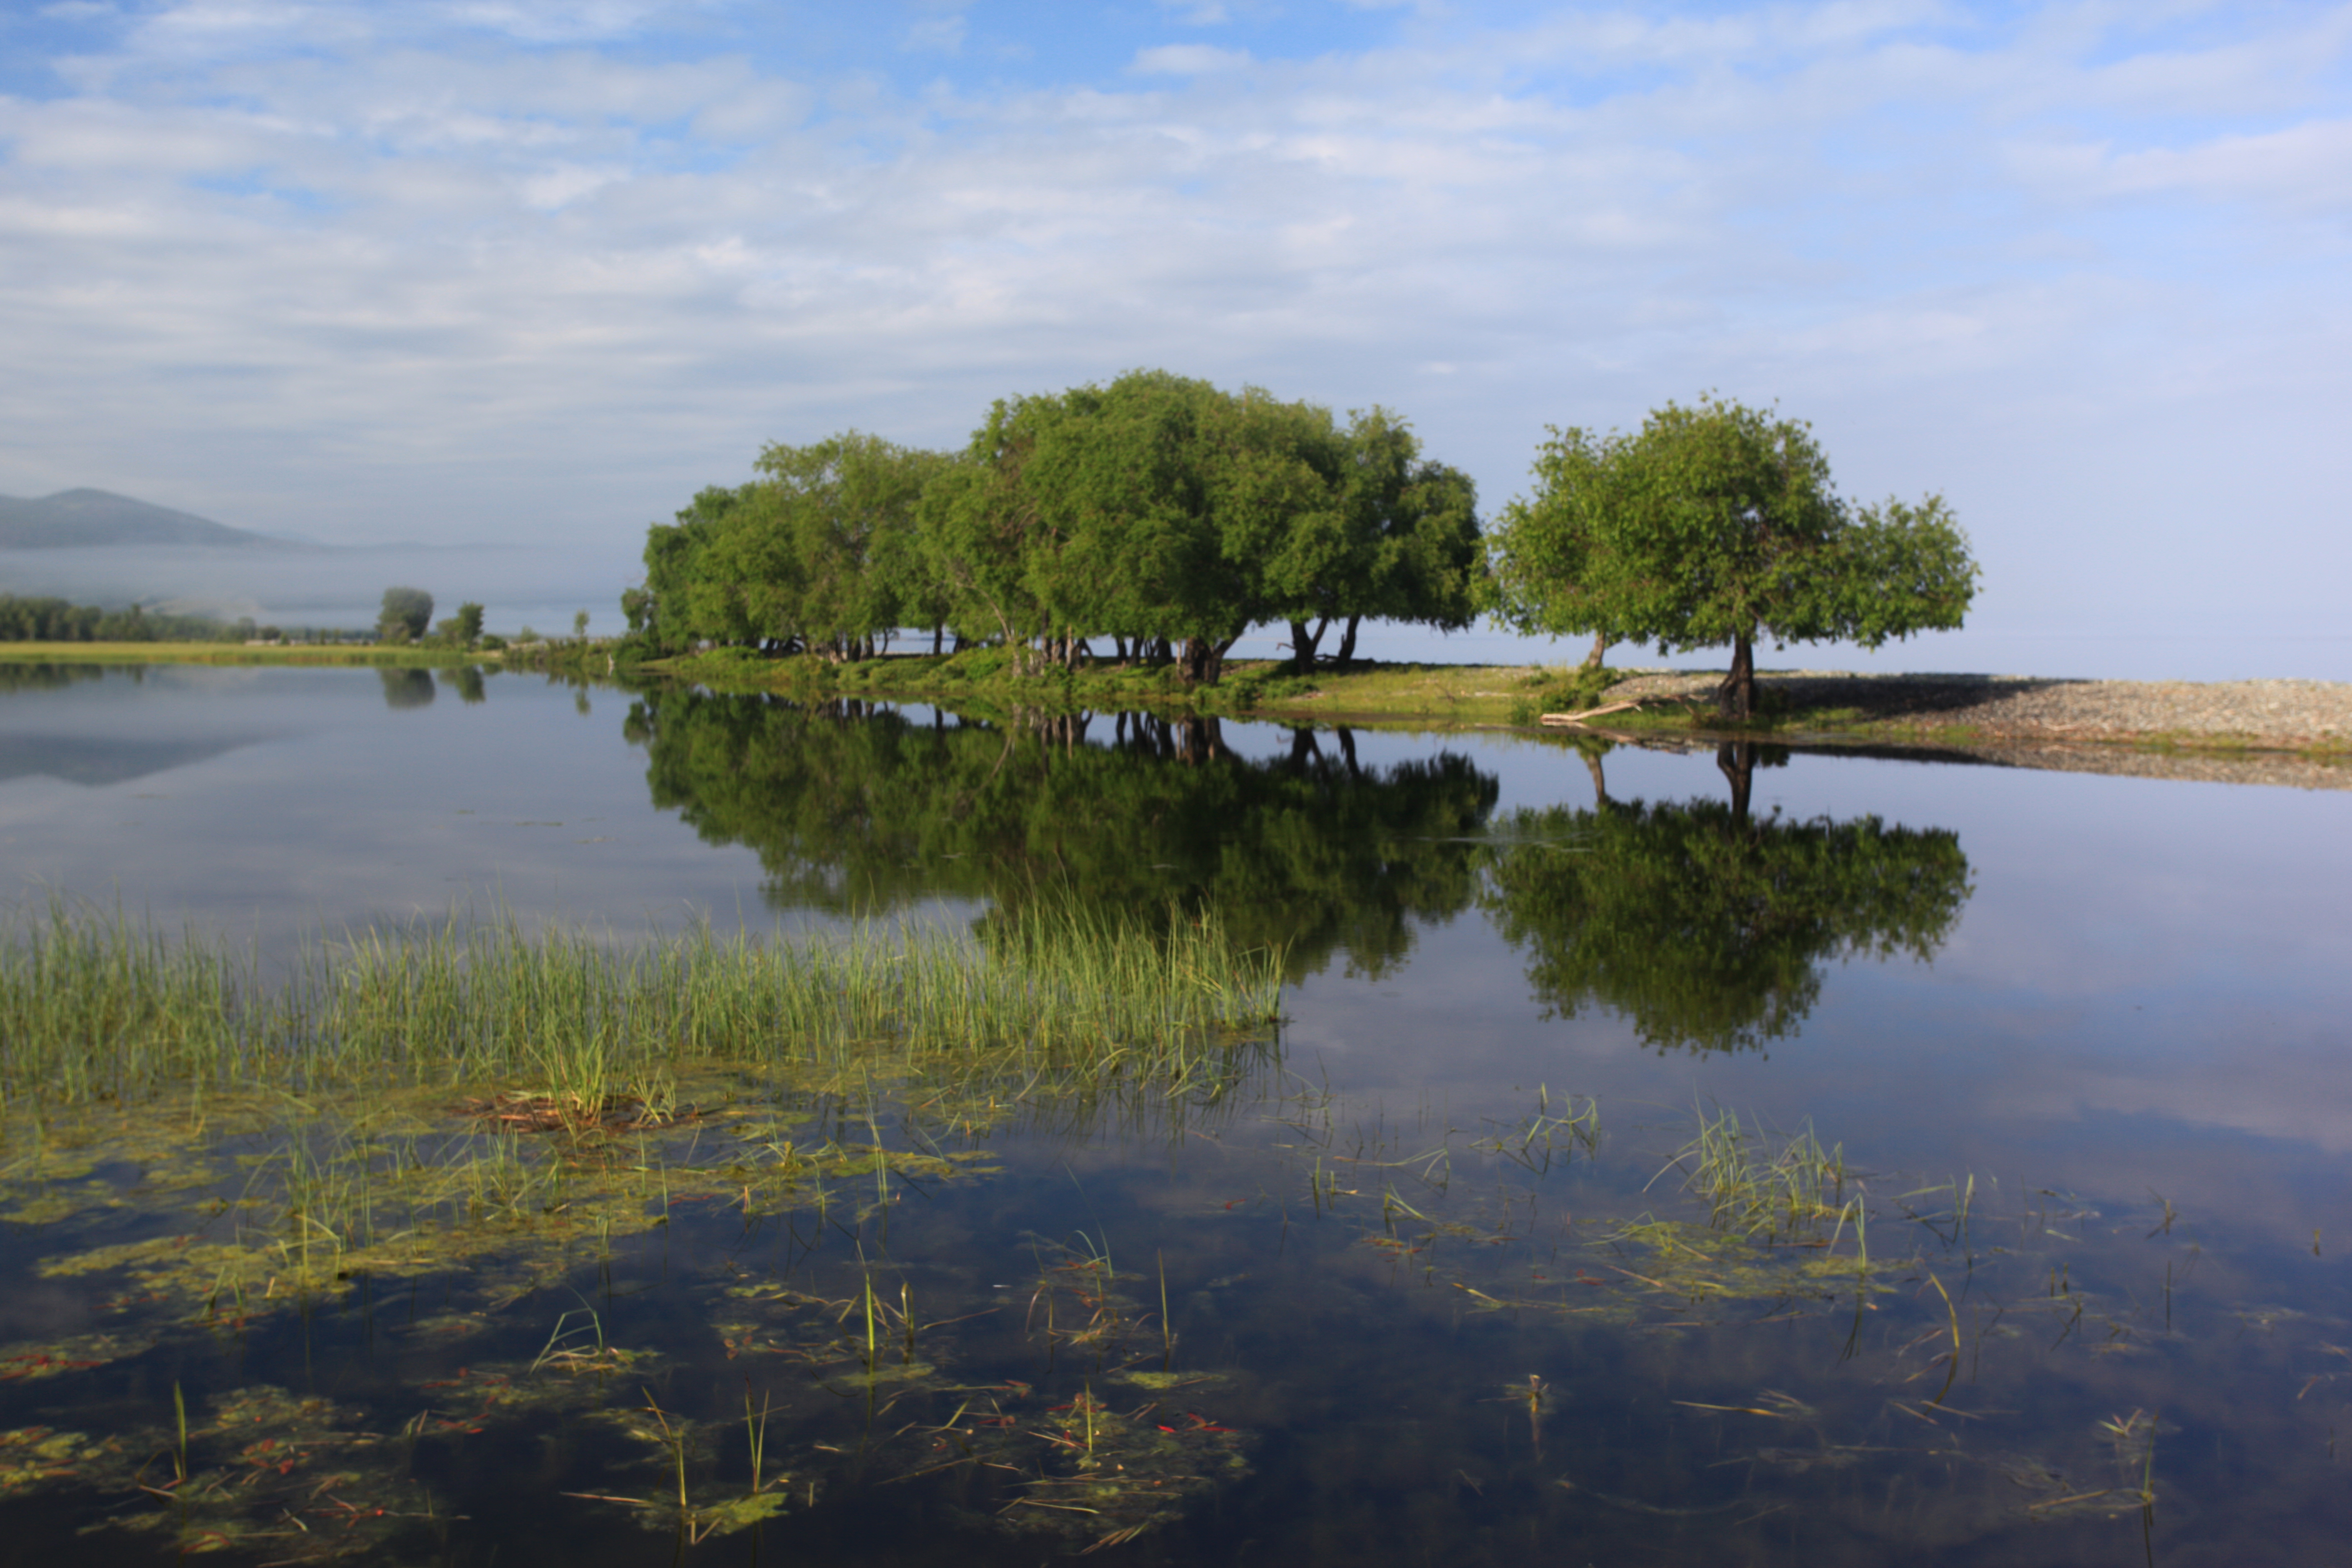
2283 732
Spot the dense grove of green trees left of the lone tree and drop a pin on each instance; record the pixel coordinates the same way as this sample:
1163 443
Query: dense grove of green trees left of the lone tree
1158 514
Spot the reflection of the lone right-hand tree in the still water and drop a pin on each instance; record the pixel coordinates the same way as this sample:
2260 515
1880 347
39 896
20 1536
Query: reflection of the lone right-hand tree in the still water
1704 925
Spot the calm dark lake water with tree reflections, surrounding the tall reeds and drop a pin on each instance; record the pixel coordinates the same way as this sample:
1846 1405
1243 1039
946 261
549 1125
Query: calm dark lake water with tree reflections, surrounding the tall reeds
1434 1287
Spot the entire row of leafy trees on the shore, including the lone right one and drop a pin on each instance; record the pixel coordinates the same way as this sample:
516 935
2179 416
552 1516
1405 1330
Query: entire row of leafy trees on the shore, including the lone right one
1170 518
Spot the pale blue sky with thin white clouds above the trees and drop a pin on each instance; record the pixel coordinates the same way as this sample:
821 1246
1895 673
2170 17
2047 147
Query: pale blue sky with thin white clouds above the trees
530 274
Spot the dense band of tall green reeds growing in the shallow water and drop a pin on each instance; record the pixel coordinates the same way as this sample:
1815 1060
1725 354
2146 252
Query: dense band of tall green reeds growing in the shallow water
100 1007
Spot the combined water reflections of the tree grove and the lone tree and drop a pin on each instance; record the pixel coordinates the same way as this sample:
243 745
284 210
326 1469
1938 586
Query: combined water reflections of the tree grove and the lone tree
1699 923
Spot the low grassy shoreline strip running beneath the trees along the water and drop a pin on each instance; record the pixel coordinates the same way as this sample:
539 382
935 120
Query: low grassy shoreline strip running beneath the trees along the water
1800 709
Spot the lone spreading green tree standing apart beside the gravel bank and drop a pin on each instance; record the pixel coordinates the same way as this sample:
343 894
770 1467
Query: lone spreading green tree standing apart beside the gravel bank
1711 525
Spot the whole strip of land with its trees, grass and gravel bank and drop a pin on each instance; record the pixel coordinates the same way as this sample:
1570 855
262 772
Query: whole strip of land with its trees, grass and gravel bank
1107 549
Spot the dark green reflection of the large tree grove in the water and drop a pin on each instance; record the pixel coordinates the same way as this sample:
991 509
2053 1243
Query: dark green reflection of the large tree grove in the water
860 810
